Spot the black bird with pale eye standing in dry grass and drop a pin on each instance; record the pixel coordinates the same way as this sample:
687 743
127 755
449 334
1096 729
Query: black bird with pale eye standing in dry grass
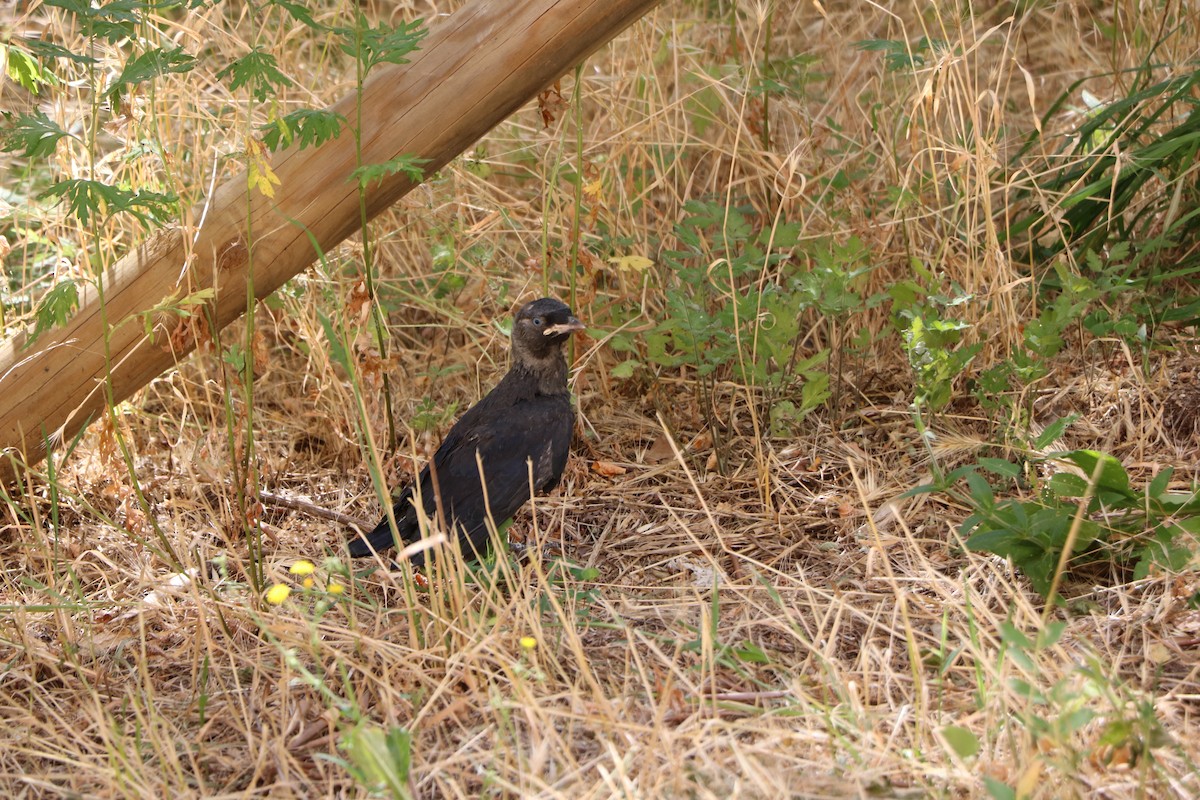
529 417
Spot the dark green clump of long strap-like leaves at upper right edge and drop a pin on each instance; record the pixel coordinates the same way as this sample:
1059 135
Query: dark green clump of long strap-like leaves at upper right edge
1129 208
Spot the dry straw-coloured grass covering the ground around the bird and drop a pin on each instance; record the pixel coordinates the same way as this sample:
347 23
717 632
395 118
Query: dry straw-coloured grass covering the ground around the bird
751 615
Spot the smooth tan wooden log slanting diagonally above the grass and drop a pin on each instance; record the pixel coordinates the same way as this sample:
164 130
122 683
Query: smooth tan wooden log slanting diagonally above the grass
475 70
